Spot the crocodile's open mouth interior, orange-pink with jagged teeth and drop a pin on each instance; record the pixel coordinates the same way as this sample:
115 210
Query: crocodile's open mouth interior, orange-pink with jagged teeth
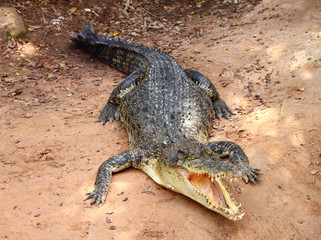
216 194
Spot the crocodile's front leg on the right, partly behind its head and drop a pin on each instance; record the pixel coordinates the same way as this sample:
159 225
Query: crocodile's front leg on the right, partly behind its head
237 157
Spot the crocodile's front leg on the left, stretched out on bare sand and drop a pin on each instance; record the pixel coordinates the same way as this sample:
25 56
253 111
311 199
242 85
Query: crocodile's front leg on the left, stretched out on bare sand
116 163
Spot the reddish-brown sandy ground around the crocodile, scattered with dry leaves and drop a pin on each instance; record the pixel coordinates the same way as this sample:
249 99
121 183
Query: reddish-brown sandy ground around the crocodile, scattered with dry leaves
266 64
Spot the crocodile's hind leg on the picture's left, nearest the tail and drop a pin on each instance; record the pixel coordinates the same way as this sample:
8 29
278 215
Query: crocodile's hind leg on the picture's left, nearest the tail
111 109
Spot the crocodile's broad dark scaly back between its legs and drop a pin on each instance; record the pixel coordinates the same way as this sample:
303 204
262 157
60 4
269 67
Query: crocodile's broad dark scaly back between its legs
166 106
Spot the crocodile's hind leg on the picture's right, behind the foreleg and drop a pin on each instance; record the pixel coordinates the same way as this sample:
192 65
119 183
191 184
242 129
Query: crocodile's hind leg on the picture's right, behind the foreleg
220 107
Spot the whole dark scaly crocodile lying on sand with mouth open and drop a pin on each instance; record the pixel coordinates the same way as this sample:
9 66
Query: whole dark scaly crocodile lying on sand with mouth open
168 113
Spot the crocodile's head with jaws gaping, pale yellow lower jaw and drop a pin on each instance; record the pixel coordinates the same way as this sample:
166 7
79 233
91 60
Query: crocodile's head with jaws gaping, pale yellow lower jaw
204 182
